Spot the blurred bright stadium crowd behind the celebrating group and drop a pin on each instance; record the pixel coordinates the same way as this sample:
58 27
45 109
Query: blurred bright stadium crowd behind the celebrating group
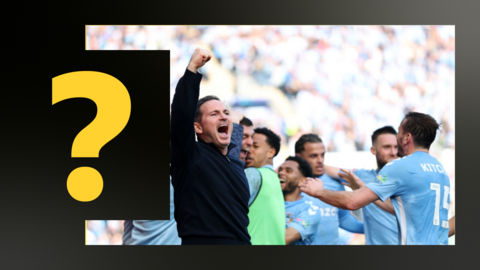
342 82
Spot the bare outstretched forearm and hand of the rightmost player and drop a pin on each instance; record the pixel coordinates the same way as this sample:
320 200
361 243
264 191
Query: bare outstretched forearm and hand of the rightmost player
341 199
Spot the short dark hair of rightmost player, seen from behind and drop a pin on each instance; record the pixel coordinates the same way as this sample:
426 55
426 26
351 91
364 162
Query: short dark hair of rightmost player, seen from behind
422 127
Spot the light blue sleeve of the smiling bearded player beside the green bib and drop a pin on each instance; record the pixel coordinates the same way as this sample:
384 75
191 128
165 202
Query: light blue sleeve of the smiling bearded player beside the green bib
306 222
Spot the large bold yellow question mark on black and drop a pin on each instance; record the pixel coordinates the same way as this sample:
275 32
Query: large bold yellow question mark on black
113 112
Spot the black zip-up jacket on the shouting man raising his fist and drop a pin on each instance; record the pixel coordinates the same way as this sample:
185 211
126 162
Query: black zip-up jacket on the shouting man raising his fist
210 189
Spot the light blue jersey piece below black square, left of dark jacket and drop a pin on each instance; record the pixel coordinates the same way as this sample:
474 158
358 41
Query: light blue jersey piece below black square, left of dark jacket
152 232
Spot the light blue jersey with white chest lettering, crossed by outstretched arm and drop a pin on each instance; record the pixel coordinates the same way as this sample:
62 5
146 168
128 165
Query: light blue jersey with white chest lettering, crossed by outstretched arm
333 217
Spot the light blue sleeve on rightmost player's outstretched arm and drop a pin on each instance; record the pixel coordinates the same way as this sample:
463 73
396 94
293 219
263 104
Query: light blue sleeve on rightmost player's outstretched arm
389 181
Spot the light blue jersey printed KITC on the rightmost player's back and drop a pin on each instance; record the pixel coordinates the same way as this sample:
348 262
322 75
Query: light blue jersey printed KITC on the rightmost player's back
419 189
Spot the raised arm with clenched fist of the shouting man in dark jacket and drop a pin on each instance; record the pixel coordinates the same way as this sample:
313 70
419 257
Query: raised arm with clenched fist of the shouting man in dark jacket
184 107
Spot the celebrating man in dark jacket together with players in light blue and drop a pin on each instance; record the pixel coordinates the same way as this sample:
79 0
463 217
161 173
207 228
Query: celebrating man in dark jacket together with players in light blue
224 189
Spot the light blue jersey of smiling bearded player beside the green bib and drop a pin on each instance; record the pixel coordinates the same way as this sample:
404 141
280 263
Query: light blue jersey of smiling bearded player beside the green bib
302 216
